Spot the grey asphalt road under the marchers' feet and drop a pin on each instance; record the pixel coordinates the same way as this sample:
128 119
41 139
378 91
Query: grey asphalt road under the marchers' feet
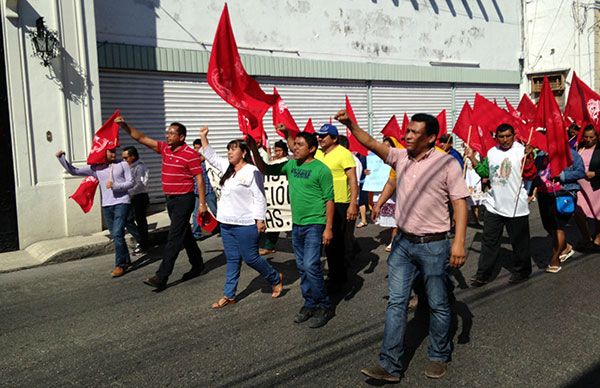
71 324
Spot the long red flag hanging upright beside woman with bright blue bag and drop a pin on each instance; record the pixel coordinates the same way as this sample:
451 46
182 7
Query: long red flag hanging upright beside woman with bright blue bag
549 117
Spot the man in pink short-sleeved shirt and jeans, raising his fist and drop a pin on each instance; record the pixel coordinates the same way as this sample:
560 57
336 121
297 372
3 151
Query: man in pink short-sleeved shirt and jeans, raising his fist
426 181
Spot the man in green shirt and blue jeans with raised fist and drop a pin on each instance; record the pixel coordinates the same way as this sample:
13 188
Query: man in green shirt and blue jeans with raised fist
311 196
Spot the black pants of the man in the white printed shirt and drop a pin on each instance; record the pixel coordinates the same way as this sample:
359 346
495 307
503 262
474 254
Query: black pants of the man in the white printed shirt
518 234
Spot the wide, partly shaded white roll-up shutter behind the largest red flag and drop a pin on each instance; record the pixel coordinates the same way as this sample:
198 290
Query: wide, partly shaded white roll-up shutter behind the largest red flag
152 100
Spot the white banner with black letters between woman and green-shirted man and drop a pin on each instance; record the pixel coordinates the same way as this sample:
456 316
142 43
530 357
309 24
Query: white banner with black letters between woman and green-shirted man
279 211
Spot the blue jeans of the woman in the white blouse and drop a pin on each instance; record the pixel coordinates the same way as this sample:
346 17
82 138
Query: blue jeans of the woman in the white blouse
240 242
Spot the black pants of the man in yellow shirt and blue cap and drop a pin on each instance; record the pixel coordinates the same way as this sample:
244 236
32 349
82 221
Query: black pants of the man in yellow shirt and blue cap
340 250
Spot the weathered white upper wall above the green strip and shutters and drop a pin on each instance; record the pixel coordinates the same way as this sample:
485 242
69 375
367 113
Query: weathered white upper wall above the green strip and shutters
386 31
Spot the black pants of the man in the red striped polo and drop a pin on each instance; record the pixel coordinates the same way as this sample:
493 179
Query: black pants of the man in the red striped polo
180 210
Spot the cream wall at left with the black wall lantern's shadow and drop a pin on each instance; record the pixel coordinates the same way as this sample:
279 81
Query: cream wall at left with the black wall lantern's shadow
51 108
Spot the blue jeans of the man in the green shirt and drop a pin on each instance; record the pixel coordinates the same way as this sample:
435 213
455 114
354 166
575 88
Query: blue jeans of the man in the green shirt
306 240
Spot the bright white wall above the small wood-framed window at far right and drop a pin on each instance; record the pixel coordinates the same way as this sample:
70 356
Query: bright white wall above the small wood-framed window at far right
559 34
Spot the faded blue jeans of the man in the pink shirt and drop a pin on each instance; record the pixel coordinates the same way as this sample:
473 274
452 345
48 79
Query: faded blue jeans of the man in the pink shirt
406 260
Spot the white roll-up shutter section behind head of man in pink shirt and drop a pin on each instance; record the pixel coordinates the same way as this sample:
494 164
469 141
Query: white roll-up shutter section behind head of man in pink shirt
397 98
